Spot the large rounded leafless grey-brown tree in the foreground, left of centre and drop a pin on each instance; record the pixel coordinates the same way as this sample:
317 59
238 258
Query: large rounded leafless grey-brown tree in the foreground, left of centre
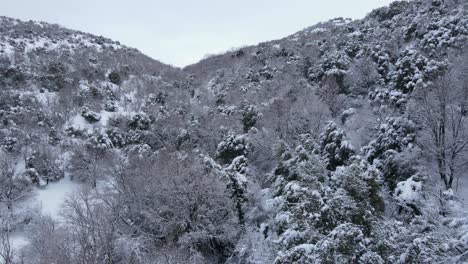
172 200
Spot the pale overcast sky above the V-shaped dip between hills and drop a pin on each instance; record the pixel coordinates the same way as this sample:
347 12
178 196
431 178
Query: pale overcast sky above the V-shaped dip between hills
181 32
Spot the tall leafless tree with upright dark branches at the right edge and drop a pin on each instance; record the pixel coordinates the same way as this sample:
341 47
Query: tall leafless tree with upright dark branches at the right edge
441 110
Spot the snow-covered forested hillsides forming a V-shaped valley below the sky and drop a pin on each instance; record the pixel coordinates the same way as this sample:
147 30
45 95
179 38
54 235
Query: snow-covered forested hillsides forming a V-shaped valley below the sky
346 142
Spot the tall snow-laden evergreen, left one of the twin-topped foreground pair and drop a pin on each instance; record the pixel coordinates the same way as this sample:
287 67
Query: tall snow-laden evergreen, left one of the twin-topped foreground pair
297 189
